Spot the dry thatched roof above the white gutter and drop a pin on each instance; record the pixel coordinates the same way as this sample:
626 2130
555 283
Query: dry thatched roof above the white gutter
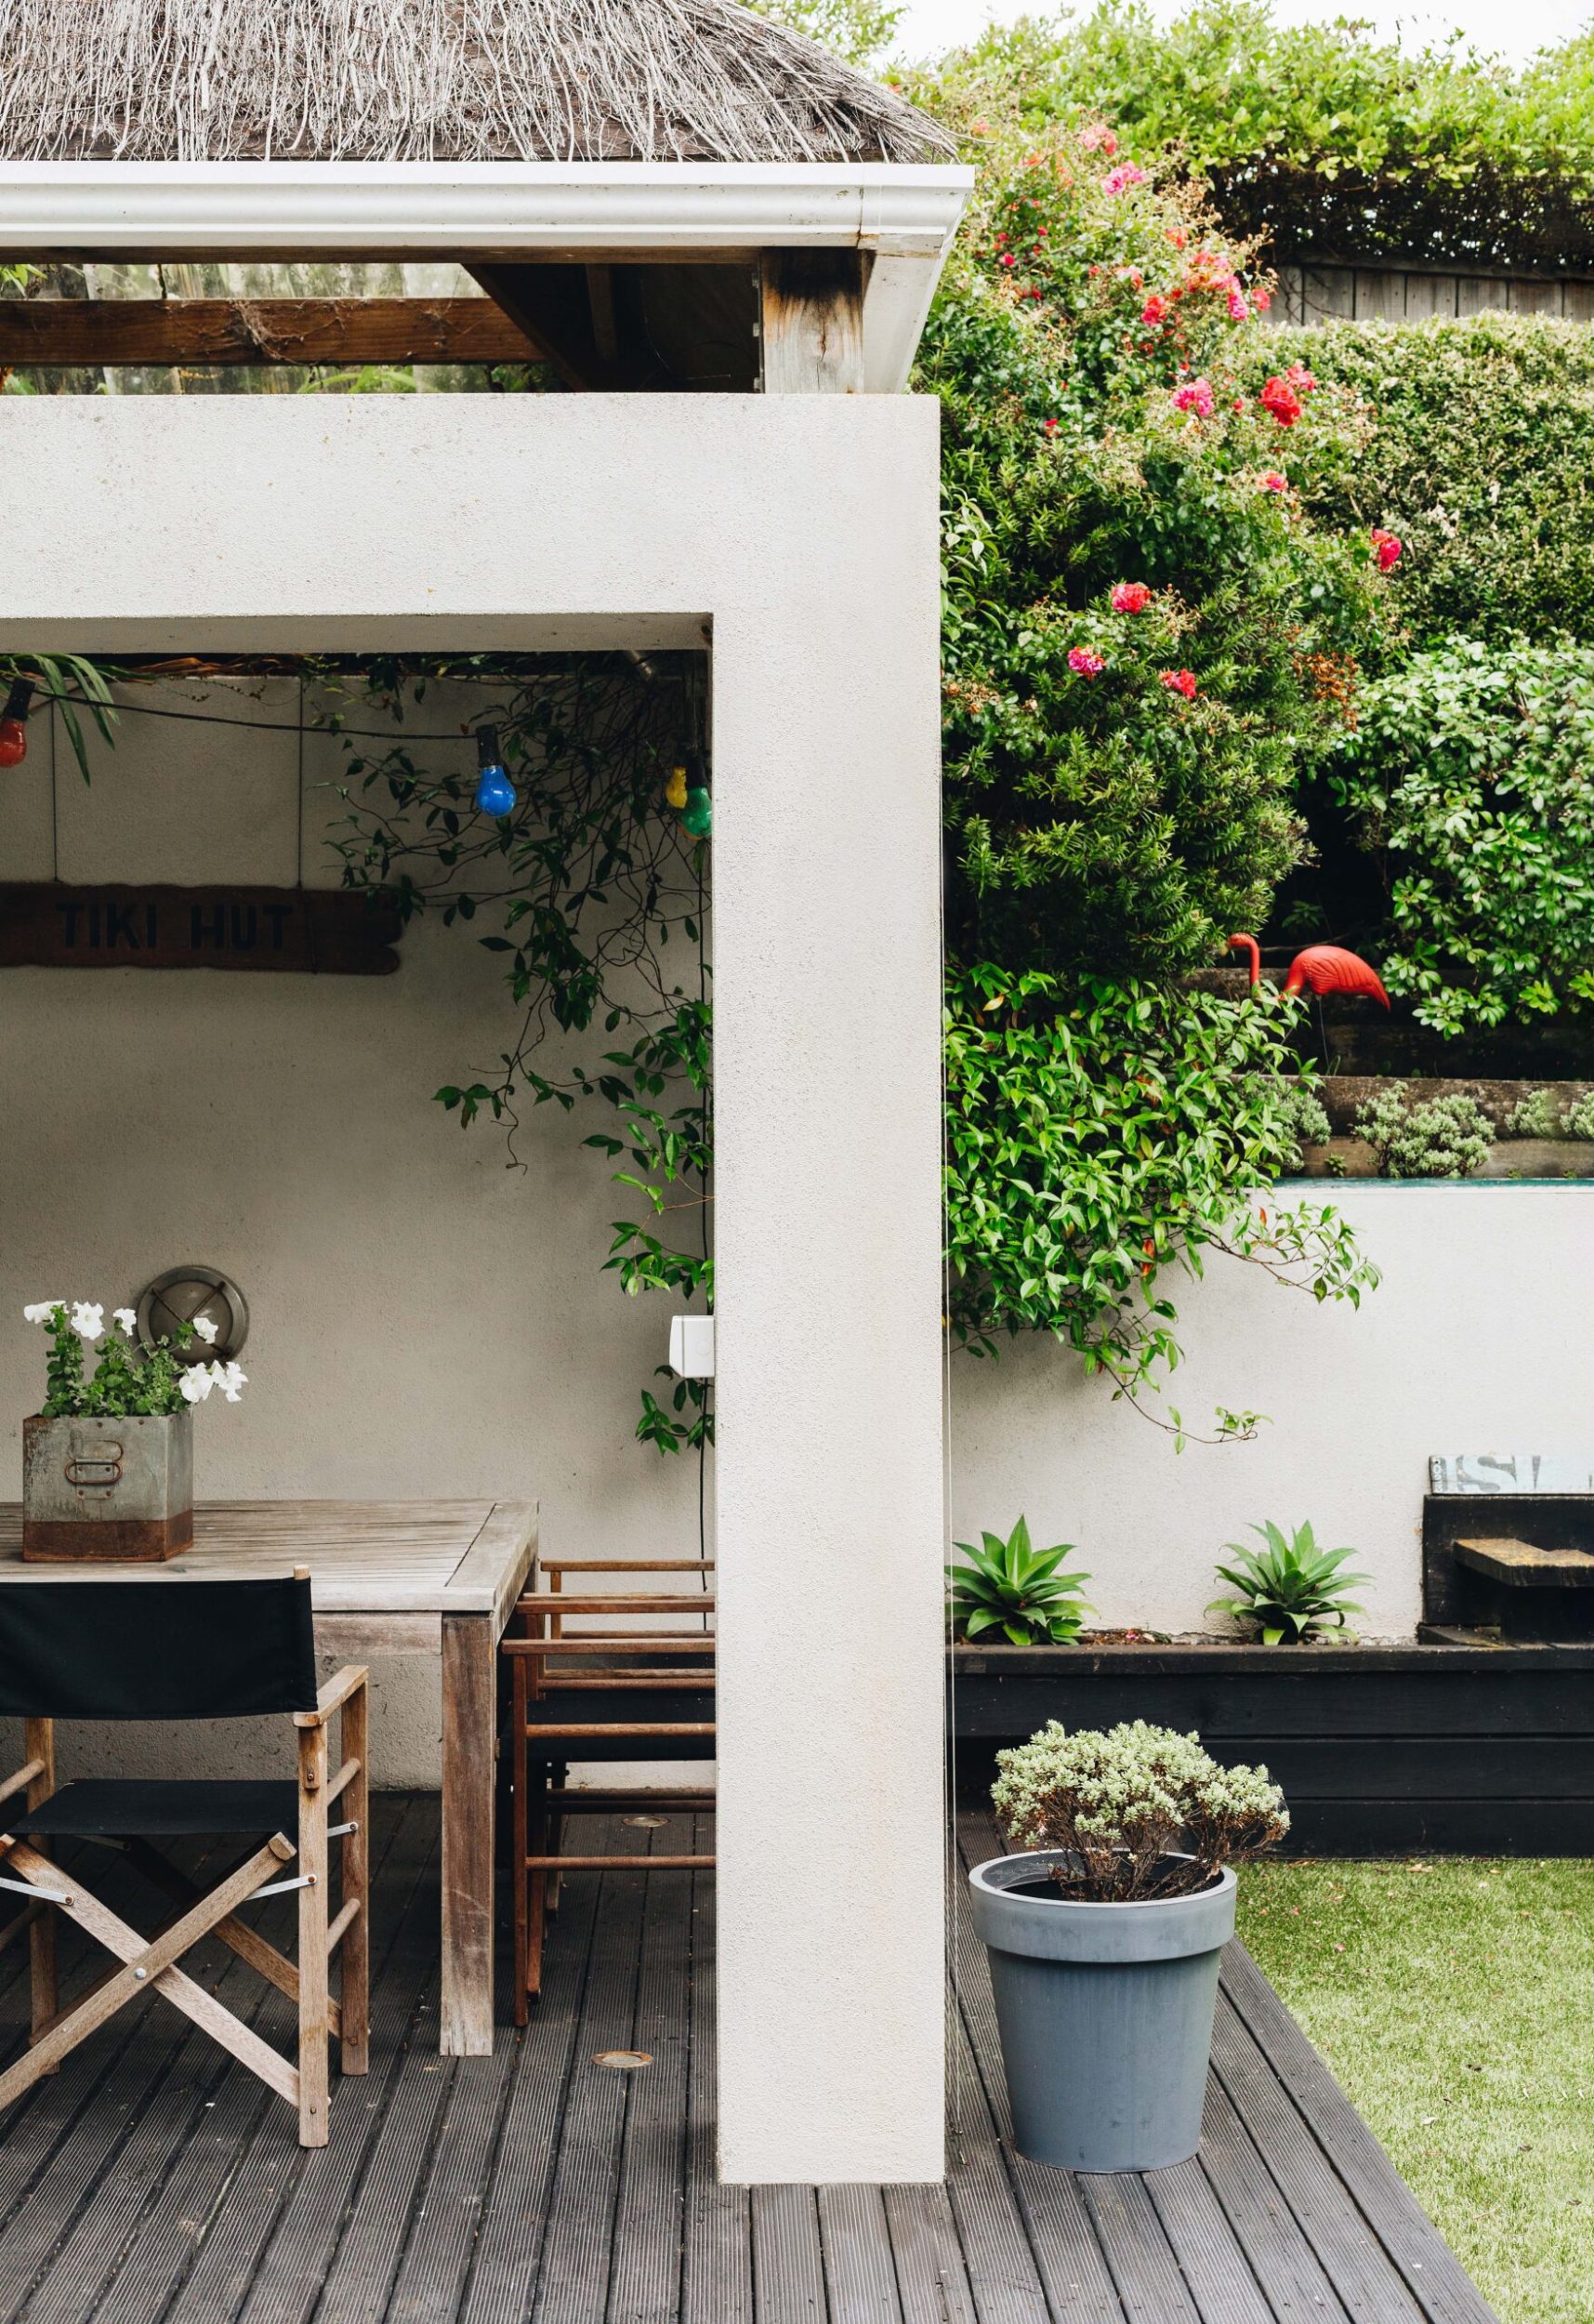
433 80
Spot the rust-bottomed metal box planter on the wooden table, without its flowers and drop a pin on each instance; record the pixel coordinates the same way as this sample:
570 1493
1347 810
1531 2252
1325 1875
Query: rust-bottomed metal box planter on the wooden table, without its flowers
108 1491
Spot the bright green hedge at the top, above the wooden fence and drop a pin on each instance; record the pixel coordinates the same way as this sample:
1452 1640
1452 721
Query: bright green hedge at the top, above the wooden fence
1337 145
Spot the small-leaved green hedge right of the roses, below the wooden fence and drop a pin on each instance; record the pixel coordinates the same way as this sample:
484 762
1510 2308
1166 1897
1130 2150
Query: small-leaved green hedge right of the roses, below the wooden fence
1481 461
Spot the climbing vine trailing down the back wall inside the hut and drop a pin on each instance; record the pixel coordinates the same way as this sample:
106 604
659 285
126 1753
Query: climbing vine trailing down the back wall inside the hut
594 896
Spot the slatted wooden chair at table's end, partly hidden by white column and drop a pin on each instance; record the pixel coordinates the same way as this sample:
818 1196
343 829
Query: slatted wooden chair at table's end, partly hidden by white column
538 1823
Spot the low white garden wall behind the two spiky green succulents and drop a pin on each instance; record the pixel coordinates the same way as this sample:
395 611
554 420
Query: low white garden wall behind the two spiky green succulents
1481 1337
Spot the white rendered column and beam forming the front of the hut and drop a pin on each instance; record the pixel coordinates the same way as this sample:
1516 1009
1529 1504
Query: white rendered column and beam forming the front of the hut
800 538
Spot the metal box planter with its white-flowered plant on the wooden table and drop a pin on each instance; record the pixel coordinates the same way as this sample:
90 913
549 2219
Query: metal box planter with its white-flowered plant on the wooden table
108 1463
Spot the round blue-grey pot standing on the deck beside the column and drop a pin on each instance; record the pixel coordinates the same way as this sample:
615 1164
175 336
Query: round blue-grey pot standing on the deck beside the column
1107 2016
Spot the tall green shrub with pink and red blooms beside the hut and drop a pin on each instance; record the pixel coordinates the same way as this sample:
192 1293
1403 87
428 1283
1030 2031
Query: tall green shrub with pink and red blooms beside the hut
1116 512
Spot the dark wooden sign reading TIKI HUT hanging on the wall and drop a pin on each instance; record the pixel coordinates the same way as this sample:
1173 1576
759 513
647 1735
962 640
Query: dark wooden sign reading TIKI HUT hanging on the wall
285 931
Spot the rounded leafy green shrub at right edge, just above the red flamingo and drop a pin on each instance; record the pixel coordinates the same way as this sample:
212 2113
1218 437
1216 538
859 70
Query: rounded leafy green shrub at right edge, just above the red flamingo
1467 780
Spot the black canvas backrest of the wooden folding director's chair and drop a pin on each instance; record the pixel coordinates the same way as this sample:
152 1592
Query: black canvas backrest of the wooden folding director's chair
141 1651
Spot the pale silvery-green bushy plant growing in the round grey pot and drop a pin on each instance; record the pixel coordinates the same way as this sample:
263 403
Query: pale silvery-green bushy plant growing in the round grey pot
1142 1812
